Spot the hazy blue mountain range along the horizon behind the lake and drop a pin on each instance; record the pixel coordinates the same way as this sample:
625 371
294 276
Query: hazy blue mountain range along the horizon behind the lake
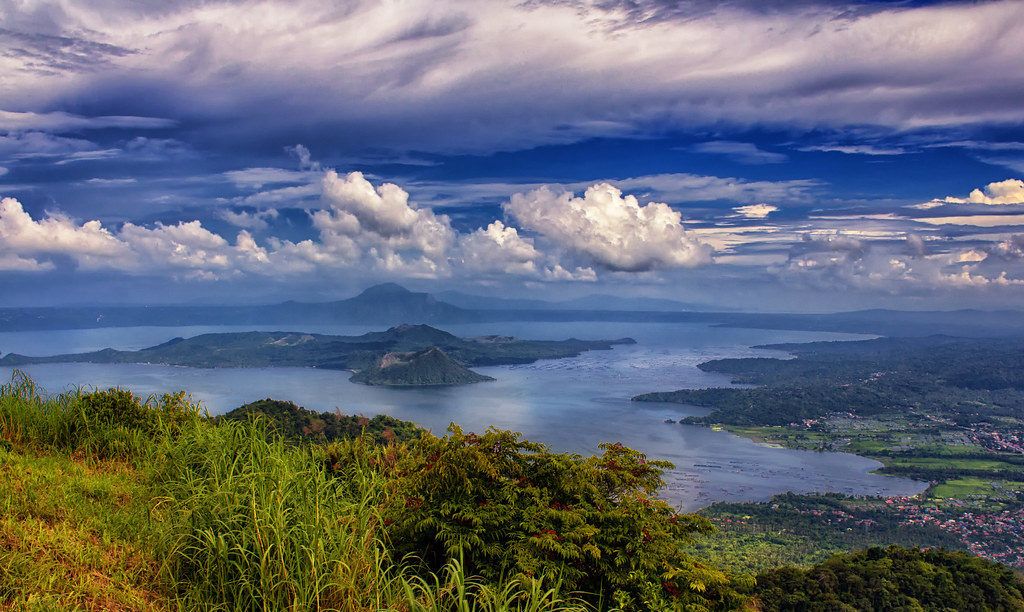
390 304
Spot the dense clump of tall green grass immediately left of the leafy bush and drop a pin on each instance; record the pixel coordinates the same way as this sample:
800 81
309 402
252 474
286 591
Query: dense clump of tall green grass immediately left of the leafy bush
258 523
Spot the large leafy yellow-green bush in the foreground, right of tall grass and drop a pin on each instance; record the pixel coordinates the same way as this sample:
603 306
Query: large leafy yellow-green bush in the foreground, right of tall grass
511 508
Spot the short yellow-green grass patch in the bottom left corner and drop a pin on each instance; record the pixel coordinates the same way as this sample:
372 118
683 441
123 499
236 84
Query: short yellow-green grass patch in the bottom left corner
69 536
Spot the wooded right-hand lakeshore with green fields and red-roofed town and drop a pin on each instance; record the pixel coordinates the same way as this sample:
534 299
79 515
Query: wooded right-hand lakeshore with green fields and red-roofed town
946 411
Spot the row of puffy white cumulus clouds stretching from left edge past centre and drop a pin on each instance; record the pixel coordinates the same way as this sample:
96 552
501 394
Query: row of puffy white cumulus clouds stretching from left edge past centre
372 229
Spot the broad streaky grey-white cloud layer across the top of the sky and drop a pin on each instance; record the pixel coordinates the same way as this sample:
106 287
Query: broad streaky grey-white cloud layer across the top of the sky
436 76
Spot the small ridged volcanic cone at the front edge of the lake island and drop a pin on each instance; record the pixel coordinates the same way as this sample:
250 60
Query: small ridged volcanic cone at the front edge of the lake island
431 367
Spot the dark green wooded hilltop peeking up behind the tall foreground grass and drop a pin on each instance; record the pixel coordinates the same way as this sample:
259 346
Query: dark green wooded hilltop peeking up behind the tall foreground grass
294 422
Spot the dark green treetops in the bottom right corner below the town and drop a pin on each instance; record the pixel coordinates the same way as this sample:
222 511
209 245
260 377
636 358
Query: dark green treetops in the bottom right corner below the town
893 579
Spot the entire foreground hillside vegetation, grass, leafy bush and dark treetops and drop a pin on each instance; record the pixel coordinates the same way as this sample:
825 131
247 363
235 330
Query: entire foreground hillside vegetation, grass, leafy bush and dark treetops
117 503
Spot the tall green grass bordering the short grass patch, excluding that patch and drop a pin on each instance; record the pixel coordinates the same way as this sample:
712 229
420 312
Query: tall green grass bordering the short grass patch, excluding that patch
241 520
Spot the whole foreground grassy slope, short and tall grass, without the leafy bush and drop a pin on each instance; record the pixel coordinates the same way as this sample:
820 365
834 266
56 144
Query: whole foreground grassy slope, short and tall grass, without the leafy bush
196 516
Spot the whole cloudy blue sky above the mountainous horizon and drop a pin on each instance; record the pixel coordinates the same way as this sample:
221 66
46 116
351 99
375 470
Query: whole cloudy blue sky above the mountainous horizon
753 155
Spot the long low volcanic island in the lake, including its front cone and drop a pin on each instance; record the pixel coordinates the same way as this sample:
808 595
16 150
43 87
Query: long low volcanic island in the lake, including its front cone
402 357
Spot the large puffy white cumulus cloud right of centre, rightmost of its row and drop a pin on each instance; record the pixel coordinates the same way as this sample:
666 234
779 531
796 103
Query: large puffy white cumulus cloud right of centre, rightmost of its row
612 231
